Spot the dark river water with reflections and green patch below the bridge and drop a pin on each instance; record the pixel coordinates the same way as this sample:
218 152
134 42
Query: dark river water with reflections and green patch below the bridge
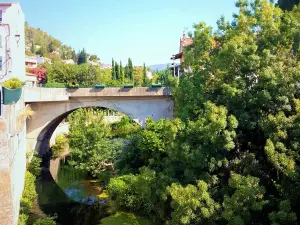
77 199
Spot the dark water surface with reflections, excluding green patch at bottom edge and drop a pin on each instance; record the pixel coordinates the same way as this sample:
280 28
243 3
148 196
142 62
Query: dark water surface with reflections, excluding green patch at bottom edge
68 199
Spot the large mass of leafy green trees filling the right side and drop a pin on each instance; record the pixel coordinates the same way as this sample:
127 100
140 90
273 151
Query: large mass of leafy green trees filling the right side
232 155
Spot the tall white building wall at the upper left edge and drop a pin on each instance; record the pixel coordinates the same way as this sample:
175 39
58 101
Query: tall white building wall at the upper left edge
12 42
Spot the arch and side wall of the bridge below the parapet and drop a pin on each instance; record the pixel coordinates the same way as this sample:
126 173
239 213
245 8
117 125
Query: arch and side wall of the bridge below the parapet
48 115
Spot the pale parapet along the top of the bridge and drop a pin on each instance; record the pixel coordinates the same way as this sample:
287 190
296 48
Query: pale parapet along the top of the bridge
63 94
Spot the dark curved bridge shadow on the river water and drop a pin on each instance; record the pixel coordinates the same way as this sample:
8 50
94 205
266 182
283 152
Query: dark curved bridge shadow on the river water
53 201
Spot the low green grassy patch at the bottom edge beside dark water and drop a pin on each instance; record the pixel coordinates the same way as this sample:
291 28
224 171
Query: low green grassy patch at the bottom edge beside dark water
122 218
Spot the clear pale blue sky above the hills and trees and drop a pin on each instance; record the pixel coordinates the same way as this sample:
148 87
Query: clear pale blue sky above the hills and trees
145 30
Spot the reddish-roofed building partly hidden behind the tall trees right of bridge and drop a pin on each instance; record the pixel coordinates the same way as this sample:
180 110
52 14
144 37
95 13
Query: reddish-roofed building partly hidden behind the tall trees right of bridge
175 67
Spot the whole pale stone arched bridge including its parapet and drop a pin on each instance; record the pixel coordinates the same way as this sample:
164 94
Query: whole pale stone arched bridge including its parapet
52 105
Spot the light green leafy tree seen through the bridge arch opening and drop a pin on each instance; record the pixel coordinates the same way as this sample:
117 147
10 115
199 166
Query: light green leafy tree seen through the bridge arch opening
91 148
